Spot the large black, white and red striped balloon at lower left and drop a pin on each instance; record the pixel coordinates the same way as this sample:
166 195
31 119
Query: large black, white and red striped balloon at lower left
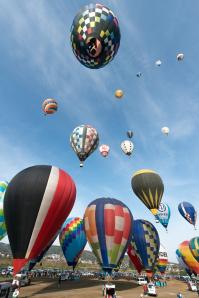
36 203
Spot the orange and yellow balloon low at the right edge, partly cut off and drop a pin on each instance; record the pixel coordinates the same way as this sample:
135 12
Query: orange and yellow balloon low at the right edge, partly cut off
188 257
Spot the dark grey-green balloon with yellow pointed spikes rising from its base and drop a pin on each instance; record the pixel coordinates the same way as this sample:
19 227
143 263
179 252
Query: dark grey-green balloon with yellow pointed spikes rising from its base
149 188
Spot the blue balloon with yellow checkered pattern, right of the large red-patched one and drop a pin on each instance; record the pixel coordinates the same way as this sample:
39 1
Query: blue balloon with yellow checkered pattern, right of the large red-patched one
146 239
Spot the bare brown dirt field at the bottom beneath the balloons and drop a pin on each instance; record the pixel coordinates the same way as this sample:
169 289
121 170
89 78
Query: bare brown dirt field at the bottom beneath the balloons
93 289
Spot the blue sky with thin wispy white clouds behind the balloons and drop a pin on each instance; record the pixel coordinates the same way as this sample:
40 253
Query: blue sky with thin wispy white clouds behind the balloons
37 62
